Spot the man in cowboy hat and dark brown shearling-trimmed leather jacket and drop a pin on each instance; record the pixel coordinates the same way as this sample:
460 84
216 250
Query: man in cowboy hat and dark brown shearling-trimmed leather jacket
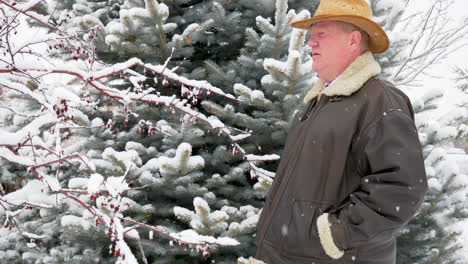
352 172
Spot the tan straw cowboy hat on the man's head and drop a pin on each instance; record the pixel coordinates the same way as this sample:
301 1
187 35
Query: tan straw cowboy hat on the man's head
356 12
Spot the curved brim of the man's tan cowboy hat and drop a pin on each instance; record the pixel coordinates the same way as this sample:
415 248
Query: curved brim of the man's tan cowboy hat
379 41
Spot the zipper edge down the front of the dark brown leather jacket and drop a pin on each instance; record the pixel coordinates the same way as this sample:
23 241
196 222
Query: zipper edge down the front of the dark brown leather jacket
318 105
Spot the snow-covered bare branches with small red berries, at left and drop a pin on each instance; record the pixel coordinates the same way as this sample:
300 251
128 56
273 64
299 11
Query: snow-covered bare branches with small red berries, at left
62 121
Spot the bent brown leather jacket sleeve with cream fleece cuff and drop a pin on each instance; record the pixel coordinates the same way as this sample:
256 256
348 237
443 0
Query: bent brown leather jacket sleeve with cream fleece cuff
390 192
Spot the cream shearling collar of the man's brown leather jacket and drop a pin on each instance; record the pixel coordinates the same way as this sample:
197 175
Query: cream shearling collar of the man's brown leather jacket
362 69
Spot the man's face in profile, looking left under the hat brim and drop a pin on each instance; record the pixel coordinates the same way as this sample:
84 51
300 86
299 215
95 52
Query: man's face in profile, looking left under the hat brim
329 49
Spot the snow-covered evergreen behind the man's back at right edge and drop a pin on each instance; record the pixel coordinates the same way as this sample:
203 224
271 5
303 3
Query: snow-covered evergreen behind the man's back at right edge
433 236
